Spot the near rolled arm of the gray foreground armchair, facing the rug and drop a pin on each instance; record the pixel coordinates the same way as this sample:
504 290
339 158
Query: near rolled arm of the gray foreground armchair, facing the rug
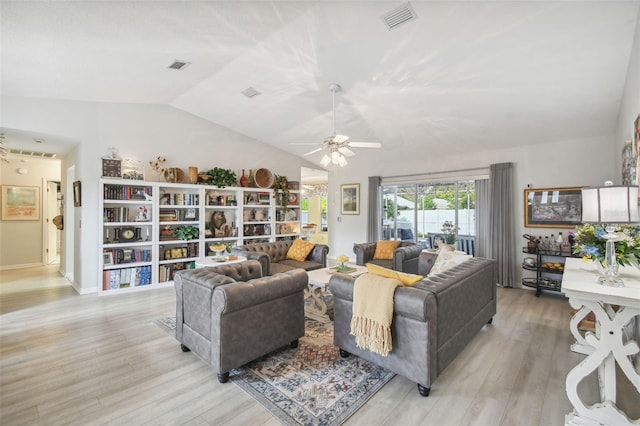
237 296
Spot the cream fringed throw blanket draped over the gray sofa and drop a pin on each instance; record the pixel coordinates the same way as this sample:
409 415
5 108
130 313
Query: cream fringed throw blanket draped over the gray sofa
373 312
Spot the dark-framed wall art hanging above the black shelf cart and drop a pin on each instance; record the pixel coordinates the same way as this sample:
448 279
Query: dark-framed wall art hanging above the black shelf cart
552 207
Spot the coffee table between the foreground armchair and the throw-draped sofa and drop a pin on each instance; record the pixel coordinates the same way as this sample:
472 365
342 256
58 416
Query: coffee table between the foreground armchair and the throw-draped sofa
321 306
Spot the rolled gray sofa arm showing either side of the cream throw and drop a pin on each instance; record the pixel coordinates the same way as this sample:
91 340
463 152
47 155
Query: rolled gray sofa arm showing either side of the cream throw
409 302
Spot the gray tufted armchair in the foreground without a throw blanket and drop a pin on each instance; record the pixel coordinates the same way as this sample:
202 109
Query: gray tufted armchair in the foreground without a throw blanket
230 315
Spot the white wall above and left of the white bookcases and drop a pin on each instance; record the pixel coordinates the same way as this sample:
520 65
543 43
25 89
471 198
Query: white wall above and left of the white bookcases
140 132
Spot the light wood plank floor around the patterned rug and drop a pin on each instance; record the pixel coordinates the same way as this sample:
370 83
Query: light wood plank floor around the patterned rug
70 359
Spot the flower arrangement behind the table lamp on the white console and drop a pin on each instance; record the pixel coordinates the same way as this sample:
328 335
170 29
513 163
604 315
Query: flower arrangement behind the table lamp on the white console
591 244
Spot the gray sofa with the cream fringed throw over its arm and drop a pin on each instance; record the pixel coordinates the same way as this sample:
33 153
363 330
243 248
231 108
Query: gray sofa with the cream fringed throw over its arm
433 321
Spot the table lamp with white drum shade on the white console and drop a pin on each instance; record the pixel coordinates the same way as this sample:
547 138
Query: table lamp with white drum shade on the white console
610 205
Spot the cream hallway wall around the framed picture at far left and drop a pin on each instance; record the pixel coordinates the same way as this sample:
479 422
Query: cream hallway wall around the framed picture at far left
21 244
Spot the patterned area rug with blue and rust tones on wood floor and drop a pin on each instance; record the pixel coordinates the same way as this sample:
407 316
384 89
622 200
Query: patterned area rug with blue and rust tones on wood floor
310 385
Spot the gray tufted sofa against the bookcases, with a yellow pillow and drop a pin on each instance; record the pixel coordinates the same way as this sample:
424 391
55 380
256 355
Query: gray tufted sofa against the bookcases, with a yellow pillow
273 256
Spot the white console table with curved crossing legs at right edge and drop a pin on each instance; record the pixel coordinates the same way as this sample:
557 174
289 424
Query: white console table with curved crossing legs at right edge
608 346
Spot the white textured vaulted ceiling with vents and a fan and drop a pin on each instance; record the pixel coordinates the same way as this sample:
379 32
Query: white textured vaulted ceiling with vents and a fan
463 77
